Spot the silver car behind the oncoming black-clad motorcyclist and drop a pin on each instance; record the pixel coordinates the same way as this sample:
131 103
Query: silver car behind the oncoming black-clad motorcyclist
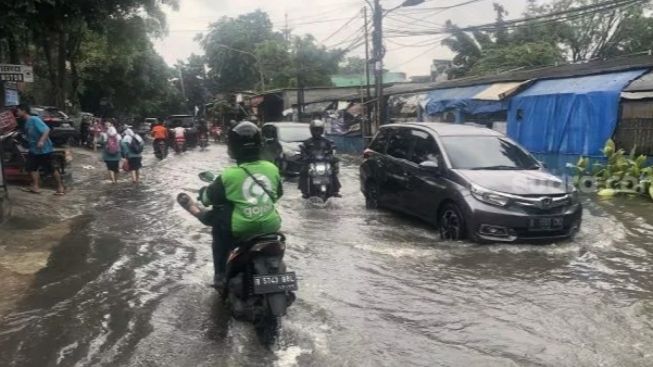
281 144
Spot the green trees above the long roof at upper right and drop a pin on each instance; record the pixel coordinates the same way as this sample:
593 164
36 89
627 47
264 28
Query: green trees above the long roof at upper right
621 31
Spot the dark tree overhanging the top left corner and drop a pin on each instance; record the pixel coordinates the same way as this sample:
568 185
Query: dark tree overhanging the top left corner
56 30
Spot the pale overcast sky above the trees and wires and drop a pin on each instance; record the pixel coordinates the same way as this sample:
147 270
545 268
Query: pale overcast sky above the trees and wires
322 18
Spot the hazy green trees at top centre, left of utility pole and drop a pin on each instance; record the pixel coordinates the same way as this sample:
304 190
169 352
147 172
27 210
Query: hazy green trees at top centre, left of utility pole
238 50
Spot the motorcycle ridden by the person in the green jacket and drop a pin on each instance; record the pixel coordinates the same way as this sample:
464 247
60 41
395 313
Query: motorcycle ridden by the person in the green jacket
259 289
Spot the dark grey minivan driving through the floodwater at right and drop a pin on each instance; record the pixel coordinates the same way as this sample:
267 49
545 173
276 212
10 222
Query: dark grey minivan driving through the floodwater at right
470 182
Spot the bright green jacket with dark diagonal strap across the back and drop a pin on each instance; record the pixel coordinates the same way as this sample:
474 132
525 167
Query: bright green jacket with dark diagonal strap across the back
248 208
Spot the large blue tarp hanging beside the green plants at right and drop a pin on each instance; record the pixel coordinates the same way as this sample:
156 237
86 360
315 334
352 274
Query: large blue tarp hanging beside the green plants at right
570 115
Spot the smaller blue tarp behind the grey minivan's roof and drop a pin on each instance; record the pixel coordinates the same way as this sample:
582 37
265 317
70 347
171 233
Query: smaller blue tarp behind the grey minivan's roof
461 99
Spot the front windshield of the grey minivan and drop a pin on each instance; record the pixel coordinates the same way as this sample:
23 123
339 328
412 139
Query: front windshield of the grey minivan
486 152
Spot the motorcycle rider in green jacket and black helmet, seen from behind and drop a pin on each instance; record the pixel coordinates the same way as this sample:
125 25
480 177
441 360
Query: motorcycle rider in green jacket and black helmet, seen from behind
243 198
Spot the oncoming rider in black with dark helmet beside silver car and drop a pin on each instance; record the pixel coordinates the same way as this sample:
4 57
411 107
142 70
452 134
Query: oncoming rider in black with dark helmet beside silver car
313 147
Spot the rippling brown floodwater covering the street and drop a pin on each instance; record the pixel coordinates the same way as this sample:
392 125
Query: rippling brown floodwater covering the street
127 286
